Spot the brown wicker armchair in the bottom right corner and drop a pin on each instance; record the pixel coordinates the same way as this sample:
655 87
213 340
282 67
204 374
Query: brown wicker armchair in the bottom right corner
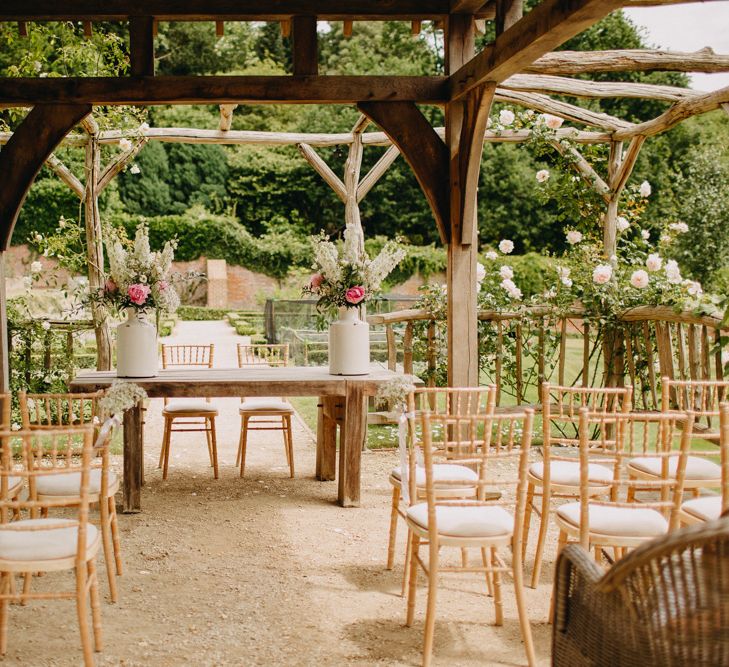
667 603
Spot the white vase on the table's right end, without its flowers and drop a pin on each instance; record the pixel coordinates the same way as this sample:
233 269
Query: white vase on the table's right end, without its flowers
349 344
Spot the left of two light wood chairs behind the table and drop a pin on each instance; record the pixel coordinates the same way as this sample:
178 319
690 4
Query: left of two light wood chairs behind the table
190 414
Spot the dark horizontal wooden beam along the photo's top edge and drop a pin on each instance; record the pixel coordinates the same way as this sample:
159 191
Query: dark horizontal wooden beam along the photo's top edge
212 10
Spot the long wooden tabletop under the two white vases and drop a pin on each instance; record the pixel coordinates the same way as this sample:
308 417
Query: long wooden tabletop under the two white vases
220 382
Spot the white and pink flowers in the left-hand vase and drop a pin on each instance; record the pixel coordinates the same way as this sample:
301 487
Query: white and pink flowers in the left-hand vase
139 278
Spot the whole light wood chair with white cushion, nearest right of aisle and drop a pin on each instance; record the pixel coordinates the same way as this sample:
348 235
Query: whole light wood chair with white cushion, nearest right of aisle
486 525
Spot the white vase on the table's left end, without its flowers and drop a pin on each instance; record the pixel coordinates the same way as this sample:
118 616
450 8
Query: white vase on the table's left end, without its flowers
136 347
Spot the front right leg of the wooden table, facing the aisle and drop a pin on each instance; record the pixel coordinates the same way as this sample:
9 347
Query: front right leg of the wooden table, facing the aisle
353 433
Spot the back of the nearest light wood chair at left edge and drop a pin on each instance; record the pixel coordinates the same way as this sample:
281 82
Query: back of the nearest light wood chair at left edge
30 455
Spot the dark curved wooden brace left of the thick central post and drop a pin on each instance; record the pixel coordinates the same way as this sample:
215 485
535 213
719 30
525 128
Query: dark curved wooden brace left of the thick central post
421 147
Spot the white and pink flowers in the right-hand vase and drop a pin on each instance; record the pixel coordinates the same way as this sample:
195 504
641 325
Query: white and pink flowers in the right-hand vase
350 278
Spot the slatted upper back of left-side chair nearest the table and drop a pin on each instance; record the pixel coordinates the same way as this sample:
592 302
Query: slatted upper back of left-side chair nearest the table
49 411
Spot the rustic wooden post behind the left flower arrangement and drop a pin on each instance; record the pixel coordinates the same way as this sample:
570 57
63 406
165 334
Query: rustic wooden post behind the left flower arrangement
95 248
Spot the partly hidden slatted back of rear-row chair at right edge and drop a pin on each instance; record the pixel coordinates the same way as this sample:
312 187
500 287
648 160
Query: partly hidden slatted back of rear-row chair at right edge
700 396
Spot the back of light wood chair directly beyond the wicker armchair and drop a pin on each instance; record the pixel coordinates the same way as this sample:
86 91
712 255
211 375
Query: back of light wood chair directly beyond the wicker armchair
665 492
